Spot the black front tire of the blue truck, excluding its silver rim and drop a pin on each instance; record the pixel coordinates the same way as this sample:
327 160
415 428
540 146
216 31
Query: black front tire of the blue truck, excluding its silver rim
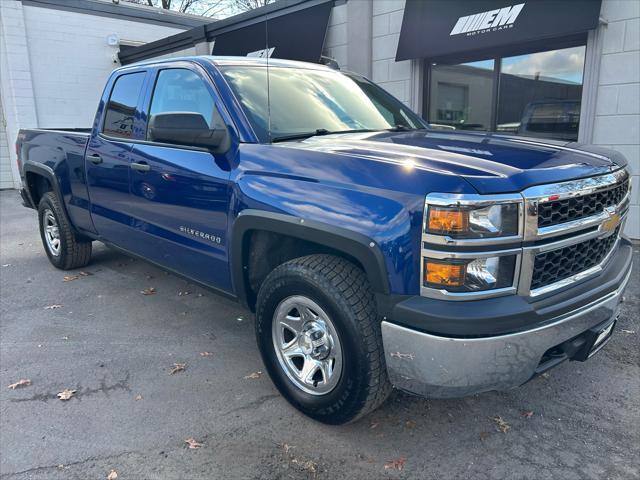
342 290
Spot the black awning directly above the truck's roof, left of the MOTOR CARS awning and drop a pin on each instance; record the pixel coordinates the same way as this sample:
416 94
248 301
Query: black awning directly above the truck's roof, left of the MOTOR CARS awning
295 36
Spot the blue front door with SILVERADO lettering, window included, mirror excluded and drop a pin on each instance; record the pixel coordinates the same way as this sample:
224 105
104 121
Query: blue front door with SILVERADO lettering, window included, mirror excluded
180 194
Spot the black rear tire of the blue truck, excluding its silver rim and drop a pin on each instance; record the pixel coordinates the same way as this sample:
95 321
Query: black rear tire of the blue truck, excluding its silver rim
74 251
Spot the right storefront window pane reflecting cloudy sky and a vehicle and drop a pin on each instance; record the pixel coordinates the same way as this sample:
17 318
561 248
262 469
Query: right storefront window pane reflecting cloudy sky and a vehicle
539 94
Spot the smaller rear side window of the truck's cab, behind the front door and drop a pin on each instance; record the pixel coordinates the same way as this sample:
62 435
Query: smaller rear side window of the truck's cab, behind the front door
121 108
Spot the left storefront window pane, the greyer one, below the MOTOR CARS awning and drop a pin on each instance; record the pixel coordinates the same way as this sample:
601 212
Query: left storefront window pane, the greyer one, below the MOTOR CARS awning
460 95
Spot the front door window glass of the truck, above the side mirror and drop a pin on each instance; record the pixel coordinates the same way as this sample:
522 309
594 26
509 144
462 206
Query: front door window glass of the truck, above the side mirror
179 91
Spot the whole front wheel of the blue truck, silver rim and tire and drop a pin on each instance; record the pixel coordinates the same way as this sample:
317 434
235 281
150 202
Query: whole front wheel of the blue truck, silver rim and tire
320 339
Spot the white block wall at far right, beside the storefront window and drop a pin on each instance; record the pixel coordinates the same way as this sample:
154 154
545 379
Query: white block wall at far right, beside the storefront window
617 122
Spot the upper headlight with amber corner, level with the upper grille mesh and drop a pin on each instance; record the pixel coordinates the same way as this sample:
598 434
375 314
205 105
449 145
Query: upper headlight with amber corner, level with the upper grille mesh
469 221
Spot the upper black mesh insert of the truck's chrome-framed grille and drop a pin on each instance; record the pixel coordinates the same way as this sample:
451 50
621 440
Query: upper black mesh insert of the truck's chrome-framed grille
575 208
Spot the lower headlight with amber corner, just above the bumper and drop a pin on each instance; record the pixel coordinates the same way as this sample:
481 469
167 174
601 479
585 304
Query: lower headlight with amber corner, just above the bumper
469 275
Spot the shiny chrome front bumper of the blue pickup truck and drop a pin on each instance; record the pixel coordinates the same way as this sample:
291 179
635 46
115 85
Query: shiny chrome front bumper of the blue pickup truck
443 367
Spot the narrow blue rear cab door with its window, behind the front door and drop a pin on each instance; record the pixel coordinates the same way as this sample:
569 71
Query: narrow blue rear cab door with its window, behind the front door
107 157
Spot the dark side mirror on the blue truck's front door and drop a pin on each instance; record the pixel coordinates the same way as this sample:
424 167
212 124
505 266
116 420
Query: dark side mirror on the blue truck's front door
187 128
